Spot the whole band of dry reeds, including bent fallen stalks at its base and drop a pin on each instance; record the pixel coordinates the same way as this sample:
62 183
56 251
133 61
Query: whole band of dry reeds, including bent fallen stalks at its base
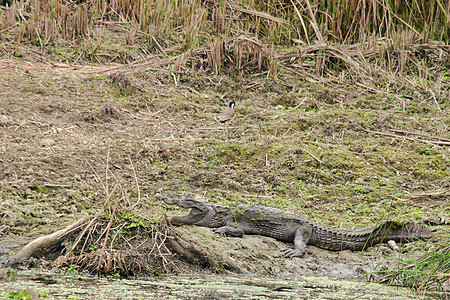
352 39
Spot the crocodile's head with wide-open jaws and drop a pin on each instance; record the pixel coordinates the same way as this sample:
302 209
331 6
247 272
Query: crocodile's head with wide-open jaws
201 214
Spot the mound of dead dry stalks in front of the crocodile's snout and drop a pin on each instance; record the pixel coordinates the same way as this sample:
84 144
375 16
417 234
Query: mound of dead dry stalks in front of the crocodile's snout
117 242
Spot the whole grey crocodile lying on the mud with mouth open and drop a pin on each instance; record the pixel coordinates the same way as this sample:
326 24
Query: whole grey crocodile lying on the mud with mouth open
290 228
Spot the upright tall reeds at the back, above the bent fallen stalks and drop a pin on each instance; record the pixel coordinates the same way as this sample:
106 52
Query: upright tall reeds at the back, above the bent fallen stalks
280 22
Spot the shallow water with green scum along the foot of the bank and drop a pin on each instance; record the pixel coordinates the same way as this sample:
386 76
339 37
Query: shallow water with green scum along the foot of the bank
42 284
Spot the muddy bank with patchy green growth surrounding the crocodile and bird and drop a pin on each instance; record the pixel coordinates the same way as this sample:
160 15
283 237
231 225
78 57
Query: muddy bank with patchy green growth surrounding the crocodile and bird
335 154
